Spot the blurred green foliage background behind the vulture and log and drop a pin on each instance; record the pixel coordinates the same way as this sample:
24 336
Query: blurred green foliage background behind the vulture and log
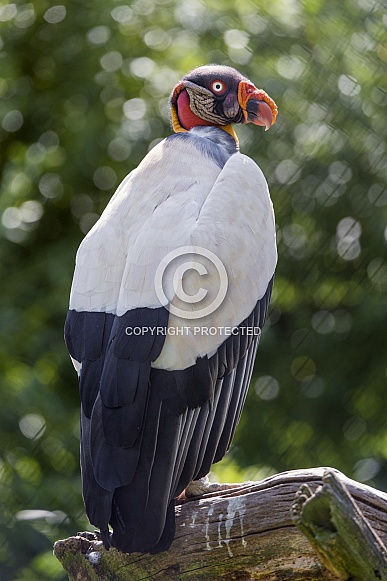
84 89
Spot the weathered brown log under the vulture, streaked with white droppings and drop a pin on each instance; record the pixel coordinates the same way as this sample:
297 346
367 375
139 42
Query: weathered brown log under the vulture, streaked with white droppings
246 533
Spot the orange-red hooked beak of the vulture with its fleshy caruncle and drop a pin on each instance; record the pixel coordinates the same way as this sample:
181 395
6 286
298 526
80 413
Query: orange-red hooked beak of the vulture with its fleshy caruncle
257 106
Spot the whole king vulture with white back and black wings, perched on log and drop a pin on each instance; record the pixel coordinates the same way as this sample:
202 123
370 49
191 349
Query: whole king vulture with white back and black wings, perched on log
170 291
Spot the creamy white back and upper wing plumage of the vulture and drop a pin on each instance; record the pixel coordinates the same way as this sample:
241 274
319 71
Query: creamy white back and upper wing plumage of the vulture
157 210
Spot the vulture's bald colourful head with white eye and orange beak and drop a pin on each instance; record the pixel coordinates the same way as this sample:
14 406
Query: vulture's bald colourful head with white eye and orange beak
219 95
